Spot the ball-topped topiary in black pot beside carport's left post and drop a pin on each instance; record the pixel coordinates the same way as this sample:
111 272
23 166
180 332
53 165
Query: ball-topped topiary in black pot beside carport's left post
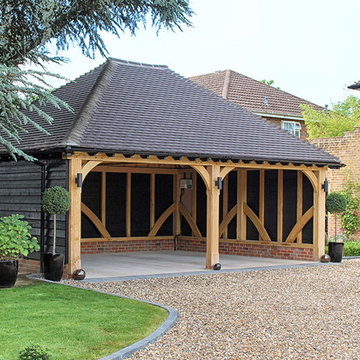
55 201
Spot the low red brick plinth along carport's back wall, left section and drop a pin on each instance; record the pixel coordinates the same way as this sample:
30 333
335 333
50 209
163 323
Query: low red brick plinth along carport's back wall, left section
126 246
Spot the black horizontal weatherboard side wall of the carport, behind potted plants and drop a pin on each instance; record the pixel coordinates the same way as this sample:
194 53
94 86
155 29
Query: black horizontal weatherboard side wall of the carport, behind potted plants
20 193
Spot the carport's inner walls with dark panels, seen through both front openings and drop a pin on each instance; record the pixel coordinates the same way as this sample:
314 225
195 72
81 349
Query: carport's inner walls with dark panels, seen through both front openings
262 212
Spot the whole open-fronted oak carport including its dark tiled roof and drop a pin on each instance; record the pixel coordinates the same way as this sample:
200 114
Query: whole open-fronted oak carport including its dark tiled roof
134 124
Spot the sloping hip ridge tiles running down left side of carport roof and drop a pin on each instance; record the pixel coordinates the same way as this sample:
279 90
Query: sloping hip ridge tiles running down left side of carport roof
78 126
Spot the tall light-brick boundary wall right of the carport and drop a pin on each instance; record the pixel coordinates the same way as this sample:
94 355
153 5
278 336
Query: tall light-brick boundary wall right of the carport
347 149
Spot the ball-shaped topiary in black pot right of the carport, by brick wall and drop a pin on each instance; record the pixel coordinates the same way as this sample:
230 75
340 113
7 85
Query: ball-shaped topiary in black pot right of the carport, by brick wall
335 204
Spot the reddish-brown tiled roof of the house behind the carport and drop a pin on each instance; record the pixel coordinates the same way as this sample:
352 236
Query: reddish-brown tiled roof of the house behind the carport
252 94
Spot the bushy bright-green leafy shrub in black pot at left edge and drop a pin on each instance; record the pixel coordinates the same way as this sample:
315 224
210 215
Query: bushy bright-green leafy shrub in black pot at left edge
15 241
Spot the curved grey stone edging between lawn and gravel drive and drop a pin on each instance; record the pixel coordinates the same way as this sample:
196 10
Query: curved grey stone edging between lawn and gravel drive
131 349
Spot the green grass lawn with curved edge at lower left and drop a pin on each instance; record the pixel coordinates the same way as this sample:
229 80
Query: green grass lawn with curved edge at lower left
71 323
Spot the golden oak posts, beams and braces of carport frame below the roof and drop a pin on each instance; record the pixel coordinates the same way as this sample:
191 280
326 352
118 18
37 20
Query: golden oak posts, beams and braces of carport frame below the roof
217 238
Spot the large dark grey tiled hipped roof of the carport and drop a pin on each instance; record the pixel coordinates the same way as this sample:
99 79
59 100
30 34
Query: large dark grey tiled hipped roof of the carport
130 107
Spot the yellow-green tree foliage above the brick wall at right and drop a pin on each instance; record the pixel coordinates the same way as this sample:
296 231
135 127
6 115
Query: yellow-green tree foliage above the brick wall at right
344 117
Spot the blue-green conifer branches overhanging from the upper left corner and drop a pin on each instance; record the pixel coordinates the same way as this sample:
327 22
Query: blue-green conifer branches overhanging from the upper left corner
27 28
